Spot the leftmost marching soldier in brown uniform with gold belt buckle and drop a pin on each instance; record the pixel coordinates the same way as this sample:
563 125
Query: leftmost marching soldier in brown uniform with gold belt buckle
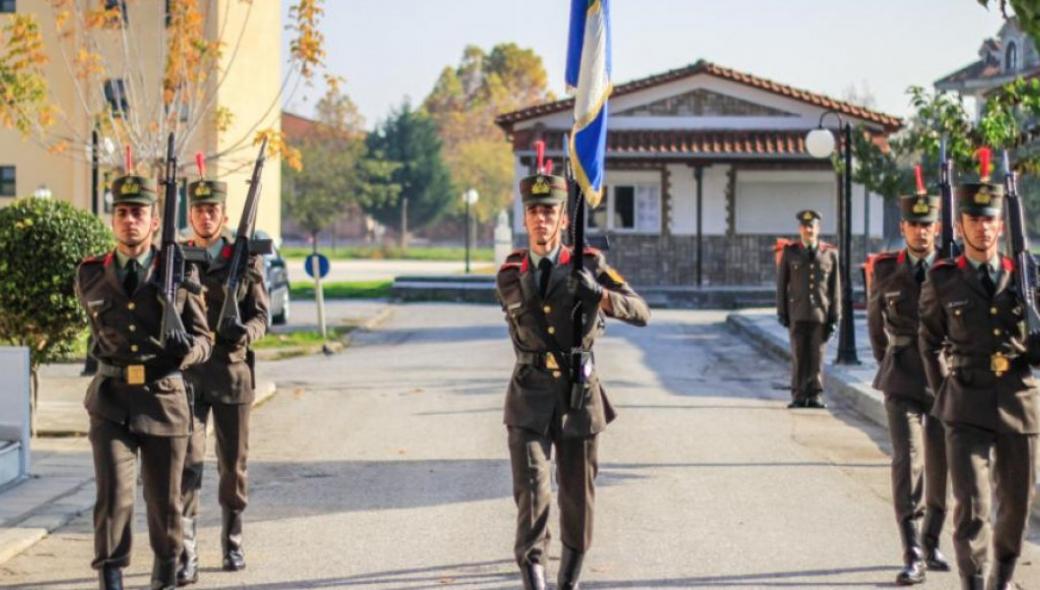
138 401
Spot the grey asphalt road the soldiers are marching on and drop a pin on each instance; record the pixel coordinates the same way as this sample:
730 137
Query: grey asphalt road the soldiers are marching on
385 467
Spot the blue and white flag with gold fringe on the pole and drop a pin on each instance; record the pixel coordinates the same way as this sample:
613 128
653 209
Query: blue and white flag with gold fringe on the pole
589 79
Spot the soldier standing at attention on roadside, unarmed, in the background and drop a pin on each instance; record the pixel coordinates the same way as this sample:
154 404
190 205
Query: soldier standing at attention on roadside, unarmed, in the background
809 300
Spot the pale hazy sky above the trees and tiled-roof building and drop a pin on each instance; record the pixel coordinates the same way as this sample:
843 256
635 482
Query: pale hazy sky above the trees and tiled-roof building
388 50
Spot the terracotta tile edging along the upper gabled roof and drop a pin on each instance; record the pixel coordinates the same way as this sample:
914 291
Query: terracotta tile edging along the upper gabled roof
890 122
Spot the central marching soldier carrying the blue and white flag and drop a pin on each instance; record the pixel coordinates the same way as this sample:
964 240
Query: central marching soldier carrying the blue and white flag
537 294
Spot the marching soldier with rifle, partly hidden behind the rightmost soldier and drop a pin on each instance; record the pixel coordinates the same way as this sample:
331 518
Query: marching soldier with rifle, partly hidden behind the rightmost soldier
919 444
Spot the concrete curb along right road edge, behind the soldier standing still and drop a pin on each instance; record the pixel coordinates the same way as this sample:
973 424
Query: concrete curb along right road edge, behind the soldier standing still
860 397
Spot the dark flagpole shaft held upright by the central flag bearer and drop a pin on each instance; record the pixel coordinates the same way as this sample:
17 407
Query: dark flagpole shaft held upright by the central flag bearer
580 357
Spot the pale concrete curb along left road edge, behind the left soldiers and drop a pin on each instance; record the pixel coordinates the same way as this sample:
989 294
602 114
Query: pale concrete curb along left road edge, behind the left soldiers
22 533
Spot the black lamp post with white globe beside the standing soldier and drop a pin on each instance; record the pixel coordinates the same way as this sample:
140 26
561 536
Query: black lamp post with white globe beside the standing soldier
821 144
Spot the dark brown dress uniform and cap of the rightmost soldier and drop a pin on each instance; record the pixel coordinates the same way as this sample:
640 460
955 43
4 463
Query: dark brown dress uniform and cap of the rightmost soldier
986 396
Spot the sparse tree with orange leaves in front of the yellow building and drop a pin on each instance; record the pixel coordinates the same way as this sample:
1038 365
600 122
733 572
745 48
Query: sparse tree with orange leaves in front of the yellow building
99 41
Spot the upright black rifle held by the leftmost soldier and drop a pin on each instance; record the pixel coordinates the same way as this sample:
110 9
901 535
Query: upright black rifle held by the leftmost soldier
172 255
